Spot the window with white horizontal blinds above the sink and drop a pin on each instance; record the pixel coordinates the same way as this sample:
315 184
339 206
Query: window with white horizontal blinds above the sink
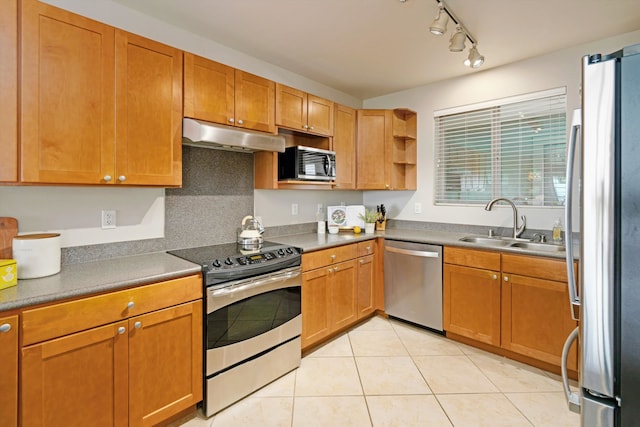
513 148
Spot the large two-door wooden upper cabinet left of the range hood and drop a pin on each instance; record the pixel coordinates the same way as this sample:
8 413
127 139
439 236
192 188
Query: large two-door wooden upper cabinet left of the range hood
98 105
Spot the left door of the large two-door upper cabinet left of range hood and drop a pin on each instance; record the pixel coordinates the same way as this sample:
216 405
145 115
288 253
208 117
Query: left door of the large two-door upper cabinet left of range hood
67 97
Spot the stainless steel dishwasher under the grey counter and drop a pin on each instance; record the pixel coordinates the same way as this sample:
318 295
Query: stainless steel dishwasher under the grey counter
413 282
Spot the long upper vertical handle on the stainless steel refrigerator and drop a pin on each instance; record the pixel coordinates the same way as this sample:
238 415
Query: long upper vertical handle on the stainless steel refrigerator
574 299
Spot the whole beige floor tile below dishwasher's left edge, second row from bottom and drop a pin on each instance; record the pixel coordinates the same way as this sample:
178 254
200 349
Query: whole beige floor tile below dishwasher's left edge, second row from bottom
390 375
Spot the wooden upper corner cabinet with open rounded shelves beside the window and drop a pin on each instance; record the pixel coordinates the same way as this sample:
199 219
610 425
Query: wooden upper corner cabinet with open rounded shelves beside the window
387 150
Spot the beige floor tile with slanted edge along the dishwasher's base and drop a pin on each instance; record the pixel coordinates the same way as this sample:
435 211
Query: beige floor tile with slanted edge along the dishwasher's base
423 343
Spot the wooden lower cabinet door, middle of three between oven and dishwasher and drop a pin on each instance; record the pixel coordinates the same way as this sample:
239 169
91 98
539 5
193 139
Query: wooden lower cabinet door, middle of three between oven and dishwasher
343 295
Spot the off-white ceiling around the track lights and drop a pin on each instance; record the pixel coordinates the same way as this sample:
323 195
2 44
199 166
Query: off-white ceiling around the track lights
368 48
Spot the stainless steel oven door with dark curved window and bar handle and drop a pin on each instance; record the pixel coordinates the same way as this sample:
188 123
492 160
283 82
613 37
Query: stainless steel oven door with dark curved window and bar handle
248 317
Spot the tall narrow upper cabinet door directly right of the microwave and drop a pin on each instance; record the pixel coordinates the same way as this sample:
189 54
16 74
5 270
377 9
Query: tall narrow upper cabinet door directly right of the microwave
344 144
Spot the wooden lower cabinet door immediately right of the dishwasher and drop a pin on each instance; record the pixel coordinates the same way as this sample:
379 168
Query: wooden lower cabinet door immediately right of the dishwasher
472 303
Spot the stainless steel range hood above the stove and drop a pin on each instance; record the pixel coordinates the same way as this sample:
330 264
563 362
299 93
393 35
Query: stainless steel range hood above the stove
198 133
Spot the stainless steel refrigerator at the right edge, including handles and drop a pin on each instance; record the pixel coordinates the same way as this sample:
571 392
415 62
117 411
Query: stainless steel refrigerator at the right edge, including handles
604 150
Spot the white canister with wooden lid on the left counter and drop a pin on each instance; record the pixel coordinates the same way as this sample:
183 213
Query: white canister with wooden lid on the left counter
37 255
